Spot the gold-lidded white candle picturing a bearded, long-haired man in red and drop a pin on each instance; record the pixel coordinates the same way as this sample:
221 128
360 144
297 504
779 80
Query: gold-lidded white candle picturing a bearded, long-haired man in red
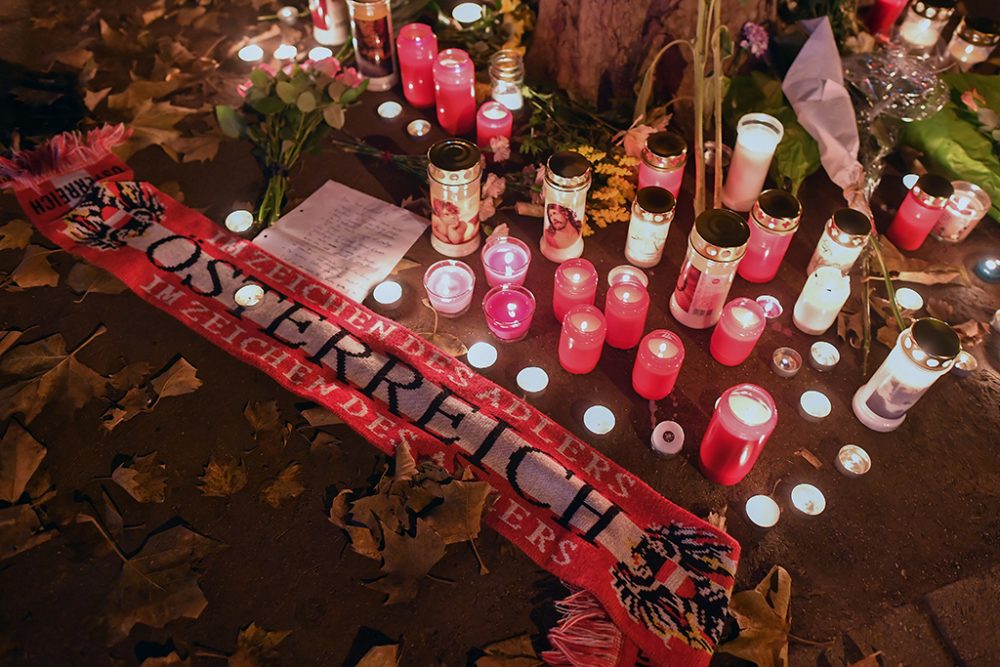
567 180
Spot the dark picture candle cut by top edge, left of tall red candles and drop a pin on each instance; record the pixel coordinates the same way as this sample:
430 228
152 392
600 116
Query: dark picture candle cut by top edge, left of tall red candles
371 25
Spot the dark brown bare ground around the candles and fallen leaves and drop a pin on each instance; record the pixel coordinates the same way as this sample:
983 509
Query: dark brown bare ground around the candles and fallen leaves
925 517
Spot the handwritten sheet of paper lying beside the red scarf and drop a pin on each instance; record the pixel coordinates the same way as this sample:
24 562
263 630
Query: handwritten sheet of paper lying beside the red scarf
344 237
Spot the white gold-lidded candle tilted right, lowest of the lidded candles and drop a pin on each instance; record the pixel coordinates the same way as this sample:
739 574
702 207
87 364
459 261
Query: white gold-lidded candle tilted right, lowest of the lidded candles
923 353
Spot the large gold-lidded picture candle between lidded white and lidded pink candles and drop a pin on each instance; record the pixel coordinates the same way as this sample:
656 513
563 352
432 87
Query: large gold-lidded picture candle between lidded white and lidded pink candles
715 247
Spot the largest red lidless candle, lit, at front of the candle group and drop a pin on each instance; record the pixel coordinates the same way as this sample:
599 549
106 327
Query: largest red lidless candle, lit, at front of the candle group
743 420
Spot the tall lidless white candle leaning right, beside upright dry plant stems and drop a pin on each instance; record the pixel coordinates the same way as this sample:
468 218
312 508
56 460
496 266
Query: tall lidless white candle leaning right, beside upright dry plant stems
757 137
